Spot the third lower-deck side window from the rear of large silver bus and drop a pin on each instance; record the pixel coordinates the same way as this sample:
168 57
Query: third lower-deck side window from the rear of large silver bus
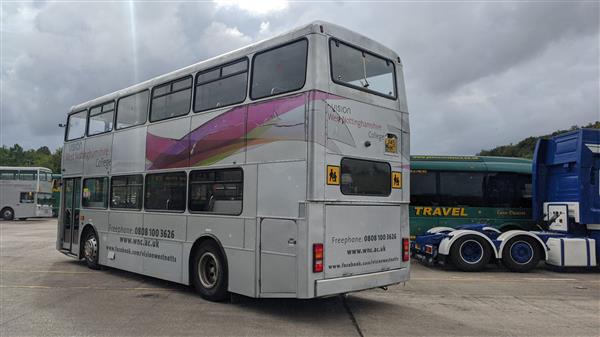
126 192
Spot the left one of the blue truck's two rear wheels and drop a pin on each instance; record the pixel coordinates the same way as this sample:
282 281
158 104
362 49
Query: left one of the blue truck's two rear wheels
470 253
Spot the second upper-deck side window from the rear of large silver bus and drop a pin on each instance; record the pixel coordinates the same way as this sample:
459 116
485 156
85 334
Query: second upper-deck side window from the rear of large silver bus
220 87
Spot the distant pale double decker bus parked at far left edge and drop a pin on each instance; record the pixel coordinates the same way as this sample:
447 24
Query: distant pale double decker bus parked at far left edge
25 192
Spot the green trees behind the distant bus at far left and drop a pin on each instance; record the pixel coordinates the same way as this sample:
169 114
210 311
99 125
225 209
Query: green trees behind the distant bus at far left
16 156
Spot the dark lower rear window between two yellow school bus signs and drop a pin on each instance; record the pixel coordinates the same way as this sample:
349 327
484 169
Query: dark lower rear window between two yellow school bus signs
365 177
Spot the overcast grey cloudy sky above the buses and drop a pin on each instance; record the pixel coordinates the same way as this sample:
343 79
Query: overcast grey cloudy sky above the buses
477 74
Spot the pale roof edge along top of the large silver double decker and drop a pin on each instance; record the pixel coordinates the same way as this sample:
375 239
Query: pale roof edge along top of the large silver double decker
315 27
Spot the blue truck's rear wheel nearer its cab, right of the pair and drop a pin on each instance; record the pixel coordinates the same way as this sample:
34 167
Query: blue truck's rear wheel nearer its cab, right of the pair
521 254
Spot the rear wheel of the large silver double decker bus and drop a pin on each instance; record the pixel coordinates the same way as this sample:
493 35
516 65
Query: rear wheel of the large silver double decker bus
209 272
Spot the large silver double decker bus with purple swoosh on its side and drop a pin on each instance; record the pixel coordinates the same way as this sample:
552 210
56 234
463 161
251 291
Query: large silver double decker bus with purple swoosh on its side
280 169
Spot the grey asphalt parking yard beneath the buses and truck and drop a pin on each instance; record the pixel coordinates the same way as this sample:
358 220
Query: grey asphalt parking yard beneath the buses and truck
44 293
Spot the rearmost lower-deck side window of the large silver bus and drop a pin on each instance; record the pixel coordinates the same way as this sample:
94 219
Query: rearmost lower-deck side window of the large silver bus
217 191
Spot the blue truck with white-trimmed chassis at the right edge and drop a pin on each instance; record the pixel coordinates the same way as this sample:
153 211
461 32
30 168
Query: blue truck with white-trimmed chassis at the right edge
566 198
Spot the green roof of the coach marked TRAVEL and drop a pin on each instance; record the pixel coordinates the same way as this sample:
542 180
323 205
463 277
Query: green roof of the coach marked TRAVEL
471 163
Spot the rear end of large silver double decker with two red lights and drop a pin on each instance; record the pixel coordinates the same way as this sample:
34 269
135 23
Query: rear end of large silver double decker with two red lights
358 186
